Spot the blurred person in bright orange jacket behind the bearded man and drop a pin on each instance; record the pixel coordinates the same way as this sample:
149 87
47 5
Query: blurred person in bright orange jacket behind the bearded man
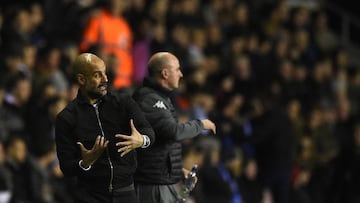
109 31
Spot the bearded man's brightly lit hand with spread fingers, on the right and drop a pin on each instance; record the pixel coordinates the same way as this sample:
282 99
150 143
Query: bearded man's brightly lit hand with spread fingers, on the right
135 140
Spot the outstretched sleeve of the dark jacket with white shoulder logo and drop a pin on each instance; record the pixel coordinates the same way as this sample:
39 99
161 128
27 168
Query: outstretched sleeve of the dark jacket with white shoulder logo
167 127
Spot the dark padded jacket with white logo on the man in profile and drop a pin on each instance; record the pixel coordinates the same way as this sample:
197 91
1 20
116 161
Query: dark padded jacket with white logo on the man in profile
161 163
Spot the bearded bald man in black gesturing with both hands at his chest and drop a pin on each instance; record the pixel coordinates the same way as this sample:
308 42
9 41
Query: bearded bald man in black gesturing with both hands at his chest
96 135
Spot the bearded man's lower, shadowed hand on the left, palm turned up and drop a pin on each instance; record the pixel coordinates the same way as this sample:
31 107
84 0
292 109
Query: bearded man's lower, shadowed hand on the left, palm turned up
90 156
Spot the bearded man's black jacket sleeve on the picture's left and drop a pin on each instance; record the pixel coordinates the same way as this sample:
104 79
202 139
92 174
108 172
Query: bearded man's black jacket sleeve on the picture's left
67 150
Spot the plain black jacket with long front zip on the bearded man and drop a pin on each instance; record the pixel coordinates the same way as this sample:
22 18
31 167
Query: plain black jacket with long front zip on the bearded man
79 122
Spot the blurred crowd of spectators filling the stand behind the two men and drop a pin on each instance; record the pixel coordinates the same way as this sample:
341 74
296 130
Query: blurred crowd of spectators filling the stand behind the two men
274 78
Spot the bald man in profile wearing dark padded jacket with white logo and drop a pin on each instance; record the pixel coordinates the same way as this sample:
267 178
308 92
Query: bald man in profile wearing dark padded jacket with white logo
159 167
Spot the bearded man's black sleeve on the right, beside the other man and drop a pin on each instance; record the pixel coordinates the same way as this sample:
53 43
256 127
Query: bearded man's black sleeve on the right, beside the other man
140 122
